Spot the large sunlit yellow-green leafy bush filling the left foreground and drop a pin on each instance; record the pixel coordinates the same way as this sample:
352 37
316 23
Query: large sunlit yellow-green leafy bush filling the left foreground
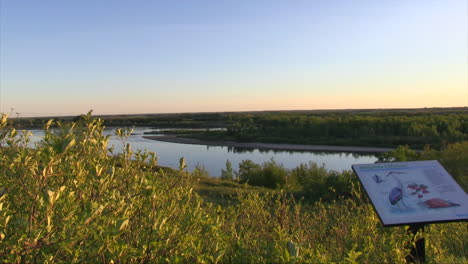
67 200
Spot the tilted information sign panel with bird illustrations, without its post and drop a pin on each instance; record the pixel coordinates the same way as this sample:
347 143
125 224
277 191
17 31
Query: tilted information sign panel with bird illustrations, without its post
405 193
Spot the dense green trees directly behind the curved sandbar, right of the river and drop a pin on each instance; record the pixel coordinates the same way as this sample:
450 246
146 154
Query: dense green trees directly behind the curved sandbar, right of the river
378 129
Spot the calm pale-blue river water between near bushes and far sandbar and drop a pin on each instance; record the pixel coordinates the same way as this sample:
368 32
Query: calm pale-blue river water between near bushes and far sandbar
213 159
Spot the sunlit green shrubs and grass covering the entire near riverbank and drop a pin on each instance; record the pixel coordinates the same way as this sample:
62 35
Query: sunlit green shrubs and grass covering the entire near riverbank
72 200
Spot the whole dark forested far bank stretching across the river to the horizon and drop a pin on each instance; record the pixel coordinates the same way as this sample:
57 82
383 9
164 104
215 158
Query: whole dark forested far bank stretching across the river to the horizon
416 128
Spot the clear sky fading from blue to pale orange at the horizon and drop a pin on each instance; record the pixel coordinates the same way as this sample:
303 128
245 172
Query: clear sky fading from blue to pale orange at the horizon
123 57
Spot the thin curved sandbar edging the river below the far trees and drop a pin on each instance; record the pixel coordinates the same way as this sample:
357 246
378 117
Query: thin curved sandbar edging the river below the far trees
274 146
